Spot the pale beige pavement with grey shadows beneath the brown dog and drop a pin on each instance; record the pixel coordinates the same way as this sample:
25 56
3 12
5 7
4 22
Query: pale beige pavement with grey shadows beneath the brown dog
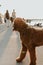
10 47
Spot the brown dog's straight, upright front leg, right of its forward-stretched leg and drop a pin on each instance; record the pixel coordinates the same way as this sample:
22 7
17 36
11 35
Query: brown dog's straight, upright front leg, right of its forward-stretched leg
32 56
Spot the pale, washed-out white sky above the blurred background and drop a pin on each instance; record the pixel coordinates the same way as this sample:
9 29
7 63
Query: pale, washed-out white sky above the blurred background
23 8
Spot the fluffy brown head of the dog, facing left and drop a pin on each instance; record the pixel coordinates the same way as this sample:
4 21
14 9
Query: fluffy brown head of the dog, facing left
19 24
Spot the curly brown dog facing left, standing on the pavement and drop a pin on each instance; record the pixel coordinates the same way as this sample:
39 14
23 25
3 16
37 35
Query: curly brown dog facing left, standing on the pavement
31 38
